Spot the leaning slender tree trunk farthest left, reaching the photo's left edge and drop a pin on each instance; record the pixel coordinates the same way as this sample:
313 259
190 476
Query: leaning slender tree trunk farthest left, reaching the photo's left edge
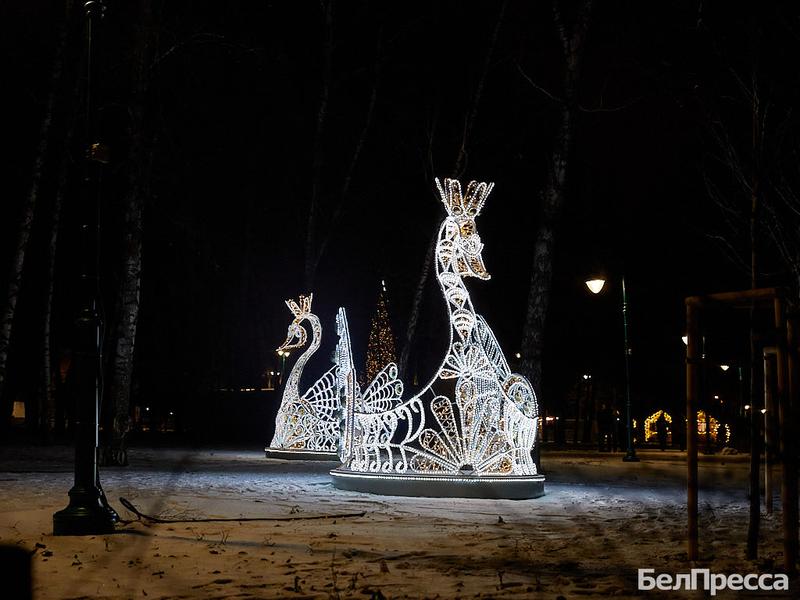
27 215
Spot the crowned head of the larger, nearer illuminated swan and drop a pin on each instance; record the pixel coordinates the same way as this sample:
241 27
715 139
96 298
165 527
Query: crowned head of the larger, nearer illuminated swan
462 208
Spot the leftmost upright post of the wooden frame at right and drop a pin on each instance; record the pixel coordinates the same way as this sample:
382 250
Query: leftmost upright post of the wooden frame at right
692 366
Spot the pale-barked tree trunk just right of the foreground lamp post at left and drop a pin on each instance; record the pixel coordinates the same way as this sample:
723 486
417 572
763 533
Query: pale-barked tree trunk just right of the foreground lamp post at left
127 307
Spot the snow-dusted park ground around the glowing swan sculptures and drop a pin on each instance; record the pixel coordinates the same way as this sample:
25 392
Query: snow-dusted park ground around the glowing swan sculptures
600 520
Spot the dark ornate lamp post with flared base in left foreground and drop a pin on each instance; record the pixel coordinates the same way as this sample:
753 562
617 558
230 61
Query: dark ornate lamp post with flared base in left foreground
88 512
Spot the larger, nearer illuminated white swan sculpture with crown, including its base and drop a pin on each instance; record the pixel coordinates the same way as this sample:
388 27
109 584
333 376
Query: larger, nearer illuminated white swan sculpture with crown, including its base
471 431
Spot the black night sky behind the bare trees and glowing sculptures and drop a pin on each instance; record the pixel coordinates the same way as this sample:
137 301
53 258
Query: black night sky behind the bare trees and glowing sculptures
233 96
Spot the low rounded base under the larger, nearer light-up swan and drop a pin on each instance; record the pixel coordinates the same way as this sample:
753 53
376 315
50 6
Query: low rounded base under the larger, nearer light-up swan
511 487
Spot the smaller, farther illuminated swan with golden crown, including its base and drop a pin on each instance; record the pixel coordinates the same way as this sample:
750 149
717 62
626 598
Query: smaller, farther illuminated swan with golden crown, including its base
307 426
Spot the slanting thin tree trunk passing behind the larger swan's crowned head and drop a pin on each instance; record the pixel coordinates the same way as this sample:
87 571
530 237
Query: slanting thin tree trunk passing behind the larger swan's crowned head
459 167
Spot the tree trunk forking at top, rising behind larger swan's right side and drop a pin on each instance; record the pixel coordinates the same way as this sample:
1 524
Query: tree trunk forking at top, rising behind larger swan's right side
553 197
